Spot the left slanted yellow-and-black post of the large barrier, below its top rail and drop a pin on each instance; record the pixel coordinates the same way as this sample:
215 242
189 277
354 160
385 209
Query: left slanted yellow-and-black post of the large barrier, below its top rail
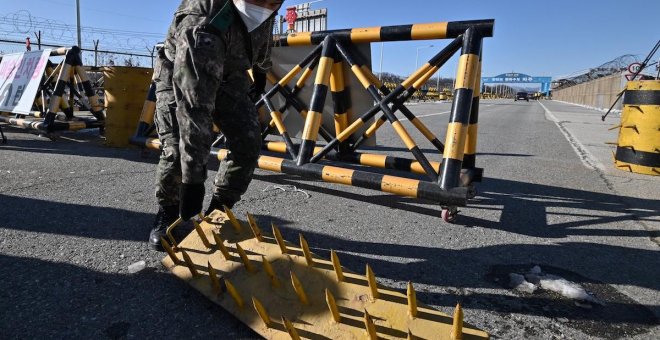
314 116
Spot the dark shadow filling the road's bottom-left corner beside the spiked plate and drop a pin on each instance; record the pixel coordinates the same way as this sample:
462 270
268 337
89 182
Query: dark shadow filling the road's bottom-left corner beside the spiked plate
44 299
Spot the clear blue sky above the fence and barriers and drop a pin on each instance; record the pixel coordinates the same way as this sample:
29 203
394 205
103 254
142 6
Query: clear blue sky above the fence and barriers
534 37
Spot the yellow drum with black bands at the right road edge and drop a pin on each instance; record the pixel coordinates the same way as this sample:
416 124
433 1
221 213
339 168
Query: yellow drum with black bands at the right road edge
638 148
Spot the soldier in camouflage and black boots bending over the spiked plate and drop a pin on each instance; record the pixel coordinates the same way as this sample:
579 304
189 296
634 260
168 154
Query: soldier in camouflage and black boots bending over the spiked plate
201 79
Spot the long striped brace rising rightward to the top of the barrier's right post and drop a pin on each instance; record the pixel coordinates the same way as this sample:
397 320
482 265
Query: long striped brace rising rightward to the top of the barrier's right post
402 88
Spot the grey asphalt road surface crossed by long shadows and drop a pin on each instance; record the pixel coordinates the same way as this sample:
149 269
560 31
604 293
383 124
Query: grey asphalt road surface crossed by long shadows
74 215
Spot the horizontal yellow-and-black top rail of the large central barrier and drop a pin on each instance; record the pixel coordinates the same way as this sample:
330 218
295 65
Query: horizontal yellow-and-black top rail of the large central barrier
438 30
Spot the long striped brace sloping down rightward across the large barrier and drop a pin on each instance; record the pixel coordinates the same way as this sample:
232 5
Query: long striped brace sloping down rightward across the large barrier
396 124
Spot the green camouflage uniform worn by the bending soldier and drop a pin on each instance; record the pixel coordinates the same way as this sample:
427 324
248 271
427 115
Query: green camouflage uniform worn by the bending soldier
210 85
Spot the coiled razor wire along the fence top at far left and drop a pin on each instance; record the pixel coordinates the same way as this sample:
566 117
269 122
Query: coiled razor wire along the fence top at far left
22 24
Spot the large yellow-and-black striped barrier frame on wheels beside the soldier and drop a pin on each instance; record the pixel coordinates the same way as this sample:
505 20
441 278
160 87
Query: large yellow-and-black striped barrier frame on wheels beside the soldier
450 182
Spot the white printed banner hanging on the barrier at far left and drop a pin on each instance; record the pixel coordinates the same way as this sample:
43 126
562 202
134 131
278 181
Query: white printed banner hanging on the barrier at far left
20 75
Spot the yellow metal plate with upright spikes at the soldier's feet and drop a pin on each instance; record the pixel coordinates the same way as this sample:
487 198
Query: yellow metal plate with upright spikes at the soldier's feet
282 290
